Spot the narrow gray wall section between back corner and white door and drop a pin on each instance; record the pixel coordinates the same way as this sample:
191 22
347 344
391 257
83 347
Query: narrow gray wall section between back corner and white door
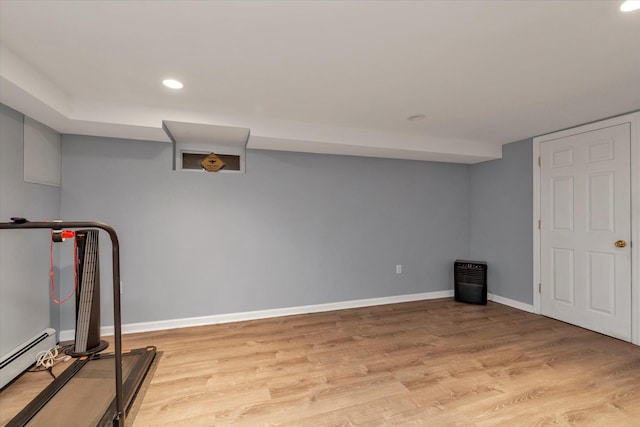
501 207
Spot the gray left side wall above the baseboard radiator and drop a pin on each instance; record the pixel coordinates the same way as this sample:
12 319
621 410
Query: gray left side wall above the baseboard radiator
24 255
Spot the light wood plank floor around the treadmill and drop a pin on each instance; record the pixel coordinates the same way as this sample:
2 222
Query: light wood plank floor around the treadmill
435 363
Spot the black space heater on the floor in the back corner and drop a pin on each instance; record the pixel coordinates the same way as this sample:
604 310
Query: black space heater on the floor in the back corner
470 281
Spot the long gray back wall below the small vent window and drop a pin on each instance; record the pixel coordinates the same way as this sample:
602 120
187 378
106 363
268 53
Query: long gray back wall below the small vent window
296 229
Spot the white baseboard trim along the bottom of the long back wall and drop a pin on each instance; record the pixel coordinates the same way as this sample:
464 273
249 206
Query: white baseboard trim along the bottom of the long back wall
131 328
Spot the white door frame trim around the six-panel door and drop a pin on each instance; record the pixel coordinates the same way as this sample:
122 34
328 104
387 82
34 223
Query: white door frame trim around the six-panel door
634 120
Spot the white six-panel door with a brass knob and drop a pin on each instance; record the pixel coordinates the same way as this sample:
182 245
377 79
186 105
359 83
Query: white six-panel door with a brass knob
585 211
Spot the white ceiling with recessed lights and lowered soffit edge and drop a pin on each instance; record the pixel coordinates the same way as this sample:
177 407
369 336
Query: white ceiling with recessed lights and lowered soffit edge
324 76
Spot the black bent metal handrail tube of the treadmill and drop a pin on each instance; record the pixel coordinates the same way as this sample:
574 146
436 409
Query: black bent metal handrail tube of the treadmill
119 419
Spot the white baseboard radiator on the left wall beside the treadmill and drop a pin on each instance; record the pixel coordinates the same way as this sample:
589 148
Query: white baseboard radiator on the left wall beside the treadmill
16 361
